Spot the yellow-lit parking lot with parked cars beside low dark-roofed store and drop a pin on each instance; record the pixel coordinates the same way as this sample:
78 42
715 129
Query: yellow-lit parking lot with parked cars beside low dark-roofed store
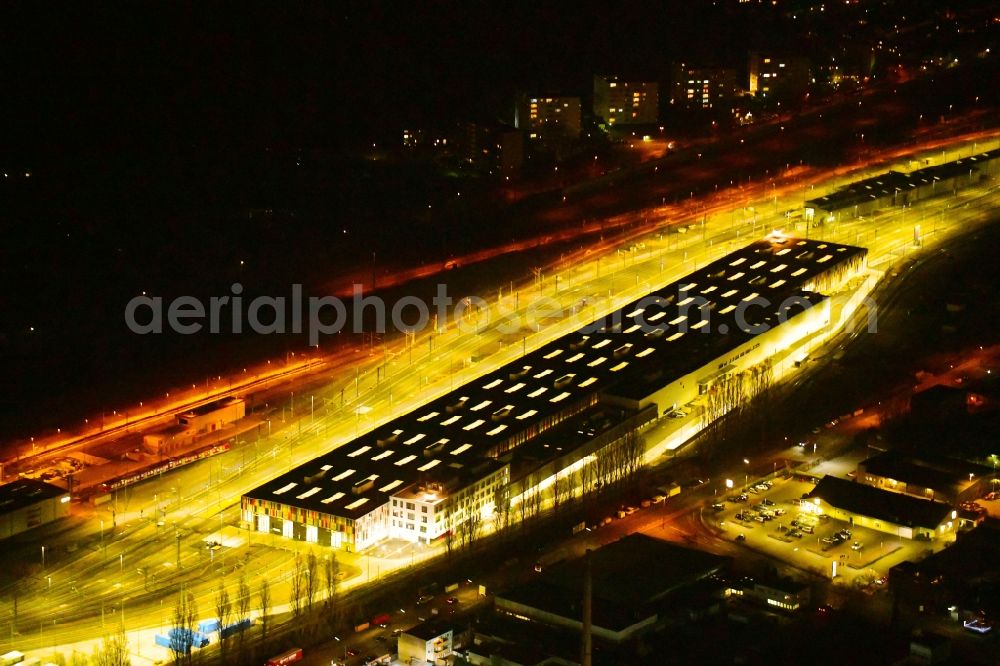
770 520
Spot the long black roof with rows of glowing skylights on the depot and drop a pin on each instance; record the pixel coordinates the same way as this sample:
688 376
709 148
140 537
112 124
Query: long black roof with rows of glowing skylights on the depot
653 340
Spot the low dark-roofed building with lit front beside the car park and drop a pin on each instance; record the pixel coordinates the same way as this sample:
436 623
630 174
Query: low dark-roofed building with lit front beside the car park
877 509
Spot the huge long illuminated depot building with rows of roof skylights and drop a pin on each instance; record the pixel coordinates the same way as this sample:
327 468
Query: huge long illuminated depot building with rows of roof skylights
524 426
